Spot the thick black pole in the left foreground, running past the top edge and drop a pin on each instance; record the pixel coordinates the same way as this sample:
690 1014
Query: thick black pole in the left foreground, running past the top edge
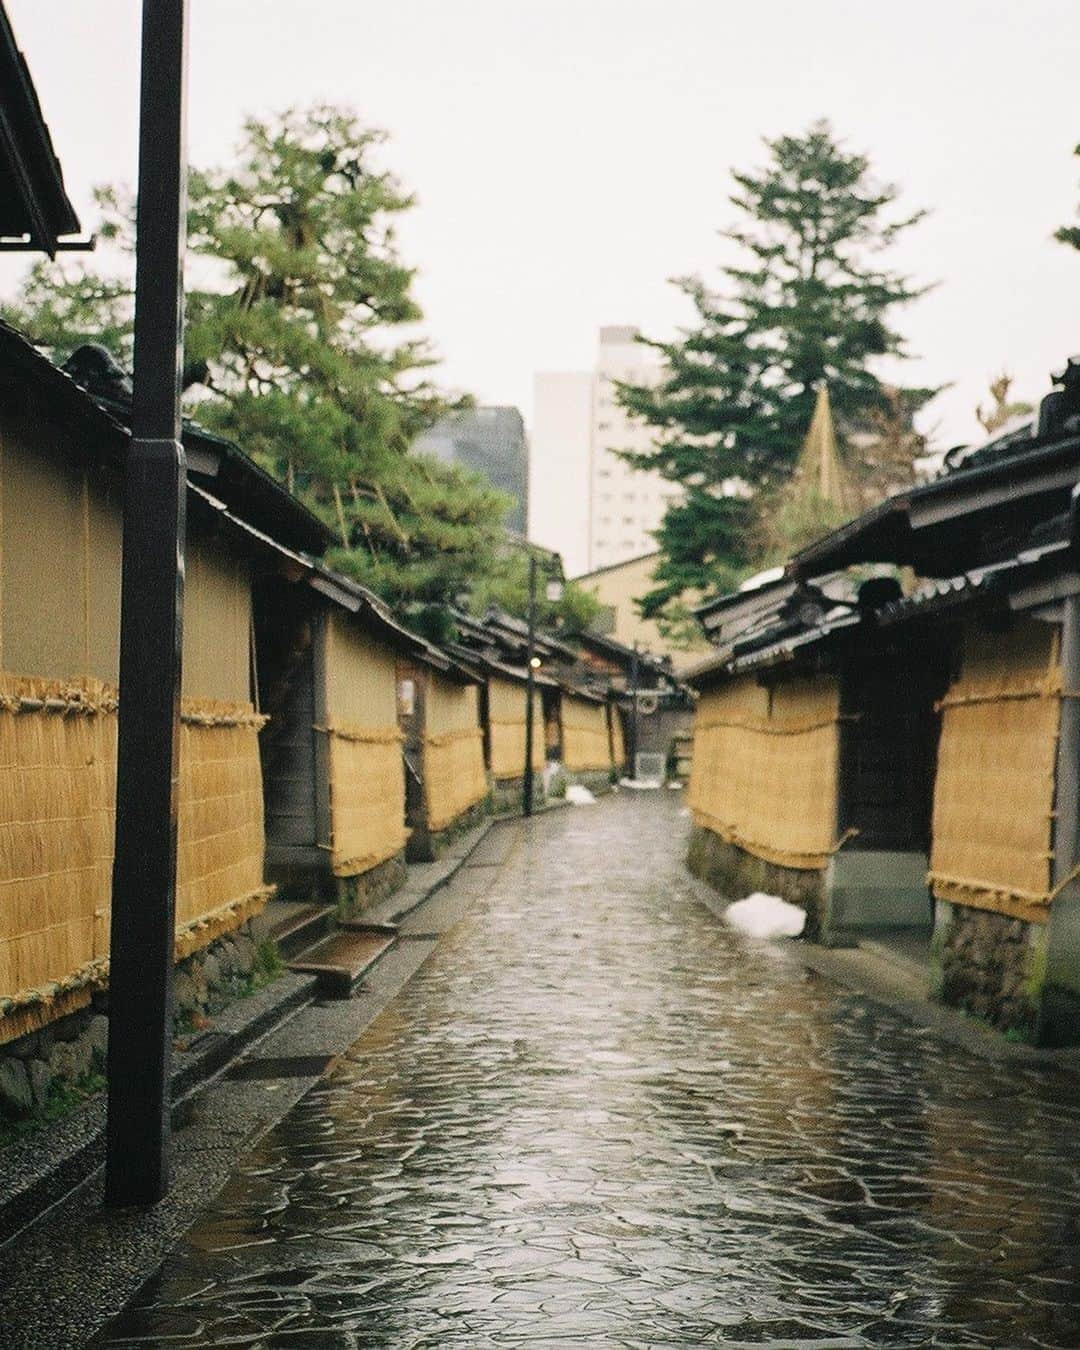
152 626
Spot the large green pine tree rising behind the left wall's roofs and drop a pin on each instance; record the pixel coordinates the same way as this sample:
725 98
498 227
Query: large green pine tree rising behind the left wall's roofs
302 348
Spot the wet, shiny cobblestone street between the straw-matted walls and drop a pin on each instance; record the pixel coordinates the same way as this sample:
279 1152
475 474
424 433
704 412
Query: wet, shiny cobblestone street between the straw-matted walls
599 1116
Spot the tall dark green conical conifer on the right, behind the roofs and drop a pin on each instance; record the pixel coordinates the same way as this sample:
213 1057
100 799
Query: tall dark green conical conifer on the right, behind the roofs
808 303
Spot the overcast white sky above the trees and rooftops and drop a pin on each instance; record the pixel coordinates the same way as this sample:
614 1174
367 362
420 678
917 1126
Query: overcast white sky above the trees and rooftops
570 156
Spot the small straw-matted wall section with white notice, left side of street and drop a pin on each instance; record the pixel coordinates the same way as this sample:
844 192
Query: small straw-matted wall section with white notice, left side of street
439 709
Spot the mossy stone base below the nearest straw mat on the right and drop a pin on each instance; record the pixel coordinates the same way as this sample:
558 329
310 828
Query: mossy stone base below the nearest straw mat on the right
990 966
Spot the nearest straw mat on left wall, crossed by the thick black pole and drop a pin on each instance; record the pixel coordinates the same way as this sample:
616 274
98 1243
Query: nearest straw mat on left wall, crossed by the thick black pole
57 785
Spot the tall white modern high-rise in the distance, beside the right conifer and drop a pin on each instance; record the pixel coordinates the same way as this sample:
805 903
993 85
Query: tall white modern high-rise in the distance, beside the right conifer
584 500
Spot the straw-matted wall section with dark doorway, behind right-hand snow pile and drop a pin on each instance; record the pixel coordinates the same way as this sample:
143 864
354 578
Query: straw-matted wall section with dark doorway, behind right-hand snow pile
812 759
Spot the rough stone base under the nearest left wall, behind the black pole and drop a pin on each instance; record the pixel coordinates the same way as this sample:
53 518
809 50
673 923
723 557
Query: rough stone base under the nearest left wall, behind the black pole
67 1052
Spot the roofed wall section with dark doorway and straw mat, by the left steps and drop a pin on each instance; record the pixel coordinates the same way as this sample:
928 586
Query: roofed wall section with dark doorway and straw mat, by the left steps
327 655
